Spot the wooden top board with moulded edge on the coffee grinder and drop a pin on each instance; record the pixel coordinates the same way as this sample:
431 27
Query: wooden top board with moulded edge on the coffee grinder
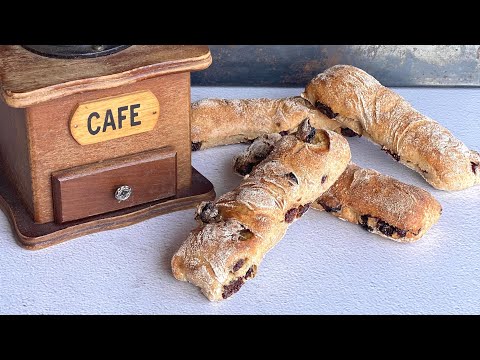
28 78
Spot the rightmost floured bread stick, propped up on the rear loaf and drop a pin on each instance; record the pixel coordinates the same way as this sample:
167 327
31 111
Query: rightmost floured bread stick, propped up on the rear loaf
358 101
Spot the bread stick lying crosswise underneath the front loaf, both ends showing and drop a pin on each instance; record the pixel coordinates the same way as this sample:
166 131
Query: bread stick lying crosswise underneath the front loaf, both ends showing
378 203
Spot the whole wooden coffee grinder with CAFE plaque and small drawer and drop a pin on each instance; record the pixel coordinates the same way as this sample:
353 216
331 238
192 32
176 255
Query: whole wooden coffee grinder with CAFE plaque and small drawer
95 137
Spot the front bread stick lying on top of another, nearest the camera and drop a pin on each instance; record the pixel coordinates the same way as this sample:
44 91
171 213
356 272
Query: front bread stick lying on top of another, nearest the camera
238 229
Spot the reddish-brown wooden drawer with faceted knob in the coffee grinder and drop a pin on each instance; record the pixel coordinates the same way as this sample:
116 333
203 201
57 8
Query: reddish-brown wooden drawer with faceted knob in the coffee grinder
95 189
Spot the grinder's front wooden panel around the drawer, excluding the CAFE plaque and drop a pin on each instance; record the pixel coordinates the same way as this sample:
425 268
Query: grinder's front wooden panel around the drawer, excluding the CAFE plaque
52 147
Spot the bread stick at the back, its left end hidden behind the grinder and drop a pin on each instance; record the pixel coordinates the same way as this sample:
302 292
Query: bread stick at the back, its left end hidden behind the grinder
217 122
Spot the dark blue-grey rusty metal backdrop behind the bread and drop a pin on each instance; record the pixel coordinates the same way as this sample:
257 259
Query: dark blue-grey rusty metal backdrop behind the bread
295 65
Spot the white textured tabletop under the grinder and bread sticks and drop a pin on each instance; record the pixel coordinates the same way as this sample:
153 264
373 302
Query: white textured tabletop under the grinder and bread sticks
322 265
